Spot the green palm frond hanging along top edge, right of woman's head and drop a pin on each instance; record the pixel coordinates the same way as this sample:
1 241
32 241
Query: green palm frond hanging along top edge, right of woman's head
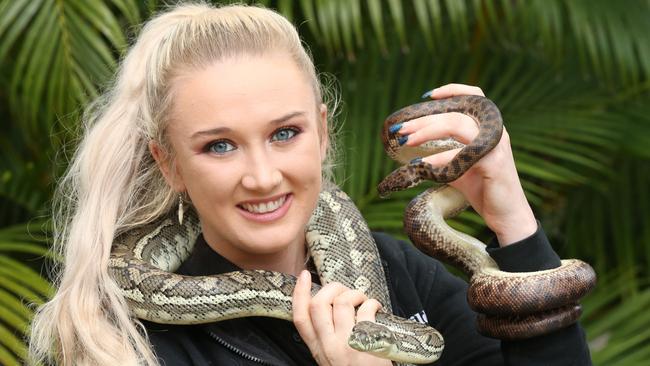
610 42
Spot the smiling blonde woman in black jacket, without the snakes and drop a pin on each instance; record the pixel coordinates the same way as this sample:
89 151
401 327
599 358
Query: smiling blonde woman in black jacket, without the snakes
221 108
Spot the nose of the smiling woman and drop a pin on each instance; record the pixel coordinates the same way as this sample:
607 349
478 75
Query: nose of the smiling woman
261 174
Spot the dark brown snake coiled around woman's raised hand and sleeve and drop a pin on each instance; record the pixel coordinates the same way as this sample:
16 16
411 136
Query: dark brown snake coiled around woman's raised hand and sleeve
510 305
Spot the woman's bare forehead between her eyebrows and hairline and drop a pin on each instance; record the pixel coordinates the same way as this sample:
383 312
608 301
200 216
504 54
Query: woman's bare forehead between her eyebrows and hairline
235 91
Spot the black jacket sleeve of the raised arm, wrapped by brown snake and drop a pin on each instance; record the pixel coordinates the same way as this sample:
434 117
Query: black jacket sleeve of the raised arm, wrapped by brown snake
444 298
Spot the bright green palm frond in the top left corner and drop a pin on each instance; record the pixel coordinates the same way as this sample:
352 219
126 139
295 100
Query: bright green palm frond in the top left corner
60 53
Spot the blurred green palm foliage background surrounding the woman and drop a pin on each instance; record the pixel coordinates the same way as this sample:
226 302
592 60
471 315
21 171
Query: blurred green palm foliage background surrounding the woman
570 77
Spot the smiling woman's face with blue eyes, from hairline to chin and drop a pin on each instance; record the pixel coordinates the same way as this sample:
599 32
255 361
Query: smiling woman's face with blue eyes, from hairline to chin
248 152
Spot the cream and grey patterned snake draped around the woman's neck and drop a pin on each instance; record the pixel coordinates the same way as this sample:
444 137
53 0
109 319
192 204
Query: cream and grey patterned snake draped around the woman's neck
142 261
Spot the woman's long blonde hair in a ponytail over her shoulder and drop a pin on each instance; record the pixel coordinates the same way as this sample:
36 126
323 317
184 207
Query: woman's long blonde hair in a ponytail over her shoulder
113 183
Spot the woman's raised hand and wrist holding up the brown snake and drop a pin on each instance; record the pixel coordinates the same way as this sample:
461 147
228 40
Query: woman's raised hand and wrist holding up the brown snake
491 185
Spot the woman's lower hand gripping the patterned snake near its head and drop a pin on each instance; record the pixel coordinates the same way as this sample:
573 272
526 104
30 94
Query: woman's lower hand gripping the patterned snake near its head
325 321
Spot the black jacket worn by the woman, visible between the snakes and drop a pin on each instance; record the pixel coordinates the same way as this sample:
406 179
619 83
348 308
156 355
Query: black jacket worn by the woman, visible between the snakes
420 288
